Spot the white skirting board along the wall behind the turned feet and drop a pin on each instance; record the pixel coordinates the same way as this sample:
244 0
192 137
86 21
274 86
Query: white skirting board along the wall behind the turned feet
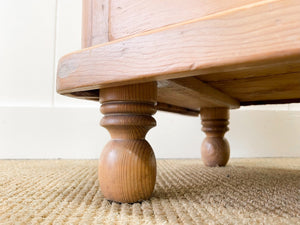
74 133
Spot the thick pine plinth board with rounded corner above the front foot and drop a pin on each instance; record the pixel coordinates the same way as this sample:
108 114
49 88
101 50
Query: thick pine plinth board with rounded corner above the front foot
217 44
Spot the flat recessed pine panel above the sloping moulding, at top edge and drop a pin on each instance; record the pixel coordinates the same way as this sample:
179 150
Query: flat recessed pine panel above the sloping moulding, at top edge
129 17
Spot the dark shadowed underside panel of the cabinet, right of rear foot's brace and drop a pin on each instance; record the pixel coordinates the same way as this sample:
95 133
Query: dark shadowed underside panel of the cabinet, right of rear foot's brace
279 87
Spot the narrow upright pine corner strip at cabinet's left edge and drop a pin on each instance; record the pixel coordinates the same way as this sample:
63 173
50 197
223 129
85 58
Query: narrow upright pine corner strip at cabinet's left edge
94 22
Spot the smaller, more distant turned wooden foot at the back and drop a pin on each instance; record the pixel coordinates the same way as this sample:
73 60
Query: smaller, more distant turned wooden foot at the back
215 149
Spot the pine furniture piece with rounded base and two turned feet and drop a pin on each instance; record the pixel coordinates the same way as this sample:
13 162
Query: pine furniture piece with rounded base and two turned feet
189 57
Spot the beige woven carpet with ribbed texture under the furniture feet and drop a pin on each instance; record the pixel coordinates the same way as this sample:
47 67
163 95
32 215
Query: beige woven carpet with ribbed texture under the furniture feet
255 191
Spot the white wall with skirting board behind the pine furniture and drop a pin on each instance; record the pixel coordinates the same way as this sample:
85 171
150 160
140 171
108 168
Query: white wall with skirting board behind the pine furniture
35 122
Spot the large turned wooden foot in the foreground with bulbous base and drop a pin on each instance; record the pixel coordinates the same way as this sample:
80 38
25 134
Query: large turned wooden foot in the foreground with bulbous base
127 166
